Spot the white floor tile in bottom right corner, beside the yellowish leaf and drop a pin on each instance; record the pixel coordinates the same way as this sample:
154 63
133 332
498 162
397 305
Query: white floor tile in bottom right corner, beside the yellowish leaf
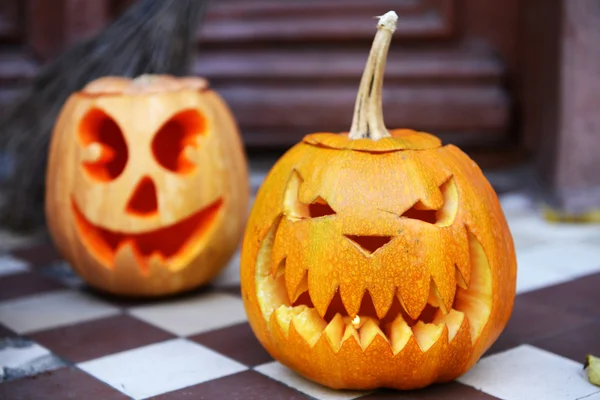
526 373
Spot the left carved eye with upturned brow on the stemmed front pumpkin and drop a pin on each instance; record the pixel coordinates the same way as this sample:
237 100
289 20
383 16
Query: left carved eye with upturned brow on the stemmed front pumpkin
295 209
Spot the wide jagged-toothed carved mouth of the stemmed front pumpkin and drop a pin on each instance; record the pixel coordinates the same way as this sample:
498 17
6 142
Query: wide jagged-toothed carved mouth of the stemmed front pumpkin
469 313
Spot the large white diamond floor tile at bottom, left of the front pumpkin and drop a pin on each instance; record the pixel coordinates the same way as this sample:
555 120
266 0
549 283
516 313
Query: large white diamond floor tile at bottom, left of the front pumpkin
160 368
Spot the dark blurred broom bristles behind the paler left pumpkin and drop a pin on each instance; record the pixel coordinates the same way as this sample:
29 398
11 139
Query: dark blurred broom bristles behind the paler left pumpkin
151 36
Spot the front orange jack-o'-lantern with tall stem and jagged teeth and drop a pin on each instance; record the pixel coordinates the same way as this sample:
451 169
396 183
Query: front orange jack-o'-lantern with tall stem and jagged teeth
377 258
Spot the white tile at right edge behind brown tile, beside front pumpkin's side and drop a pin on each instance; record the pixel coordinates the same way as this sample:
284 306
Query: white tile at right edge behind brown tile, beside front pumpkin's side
550 264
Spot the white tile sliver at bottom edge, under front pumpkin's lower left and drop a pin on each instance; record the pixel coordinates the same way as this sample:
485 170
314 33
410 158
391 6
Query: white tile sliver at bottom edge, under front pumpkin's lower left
282 374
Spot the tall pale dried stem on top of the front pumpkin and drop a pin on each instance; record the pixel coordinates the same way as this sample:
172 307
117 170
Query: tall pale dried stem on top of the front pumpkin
367 121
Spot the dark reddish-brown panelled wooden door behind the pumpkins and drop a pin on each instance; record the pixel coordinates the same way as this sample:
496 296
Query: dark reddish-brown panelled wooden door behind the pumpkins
291 67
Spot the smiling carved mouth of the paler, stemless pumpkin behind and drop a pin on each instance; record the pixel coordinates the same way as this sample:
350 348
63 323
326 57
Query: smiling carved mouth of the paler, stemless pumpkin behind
168 244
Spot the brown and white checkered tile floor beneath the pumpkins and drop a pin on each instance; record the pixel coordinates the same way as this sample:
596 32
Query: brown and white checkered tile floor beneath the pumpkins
60 340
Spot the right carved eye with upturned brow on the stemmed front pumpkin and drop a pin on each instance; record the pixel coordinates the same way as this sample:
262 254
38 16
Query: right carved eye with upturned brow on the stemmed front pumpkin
444 216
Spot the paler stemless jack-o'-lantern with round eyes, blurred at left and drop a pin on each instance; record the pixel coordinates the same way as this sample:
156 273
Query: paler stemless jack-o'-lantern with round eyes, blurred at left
146 188
